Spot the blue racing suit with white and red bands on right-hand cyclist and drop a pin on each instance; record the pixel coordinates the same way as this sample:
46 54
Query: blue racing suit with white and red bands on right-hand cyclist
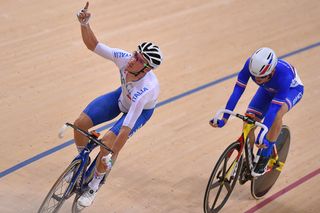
285 86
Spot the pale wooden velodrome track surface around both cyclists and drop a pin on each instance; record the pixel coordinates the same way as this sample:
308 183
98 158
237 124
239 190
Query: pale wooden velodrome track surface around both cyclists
48 77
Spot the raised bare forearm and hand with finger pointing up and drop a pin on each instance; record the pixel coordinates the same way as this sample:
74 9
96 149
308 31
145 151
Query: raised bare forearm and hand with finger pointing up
88 36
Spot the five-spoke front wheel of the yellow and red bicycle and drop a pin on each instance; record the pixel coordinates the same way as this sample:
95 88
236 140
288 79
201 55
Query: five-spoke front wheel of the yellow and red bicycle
223 179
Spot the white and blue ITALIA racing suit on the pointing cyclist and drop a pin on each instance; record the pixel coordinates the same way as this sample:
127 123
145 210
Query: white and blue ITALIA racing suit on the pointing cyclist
136 99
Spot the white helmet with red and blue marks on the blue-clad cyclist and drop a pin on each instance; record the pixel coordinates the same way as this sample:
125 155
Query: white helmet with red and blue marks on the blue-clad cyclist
262 62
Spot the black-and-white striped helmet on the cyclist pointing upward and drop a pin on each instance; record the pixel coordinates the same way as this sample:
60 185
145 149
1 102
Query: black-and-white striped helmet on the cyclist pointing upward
151 53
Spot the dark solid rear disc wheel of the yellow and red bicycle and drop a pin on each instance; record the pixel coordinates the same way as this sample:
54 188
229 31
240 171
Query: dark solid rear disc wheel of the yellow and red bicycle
262 185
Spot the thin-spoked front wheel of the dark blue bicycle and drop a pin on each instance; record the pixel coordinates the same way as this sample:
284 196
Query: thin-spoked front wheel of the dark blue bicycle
57 194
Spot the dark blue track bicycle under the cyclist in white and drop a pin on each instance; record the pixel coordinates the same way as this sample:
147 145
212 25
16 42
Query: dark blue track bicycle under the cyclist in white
75 178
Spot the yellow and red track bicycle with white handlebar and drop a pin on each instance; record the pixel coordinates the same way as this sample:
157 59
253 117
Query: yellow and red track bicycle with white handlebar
238 161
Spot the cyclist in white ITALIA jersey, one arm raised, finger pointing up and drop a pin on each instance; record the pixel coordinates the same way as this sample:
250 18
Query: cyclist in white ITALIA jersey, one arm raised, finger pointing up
135 99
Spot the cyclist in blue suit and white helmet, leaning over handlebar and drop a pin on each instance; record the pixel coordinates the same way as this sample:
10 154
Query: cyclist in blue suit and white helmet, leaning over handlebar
280 89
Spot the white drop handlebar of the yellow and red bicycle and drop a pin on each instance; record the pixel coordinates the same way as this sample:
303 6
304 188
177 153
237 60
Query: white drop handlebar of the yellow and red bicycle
245 119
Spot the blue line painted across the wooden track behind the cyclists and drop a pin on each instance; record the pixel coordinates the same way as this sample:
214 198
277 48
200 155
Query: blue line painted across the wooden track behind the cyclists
162 103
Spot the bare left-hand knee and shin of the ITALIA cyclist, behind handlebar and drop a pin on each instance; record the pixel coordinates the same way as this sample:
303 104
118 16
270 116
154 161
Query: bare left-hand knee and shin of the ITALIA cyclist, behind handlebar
85 123
